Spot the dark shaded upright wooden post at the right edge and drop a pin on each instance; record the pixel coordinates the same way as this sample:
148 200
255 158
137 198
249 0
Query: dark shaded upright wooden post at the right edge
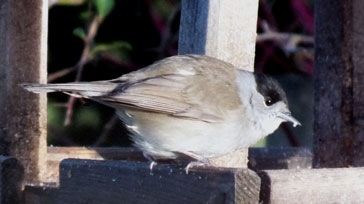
339 88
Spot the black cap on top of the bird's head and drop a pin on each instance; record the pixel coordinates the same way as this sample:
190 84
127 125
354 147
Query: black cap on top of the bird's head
270 89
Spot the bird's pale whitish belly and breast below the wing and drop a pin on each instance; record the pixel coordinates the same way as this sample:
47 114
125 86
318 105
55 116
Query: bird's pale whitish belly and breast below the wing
164 136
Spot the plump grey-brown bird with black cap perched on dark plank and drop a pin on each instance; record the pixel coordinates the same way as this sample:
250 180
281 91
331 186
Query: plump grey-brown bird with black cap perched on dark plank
188 105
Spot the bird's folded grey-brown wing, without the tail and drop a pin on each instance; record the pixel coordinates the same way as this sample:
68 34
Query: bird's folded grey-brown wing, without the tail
190 96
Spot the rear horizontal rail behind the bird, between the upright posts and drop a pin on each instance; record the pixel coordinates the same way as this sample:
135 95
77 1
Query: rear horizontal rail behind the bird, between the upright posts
259 158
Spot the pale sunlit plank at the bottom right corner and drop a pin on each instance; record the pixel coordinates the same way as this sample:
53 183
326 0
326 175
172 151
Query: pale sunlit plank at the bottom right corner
344 185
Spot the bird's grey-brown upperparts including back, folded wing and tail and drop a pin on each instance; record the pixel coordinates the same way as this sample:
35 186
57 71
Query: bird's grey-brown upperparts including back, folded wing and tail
189 86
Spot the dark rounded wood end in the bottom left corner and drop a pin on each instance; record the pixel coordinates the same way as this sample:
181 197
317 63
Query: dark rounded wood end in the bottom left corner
11 174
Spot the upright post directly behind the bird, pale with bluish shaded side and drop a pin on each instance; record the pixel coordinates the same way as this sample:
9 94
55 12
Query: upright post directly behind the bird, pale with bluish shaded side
225 30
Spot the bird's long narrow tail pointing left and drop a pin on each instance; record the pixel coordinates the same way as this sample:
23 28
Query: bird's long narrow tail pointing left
77 89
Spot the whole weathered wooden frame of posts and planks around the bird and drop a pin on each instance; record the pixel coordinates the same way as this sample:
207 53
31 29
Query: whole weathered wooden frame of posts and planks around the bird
32 172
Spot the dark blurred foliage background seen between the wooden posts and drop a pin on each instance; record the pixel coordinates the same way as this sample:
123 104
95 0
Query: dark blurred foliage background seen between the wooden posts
103 39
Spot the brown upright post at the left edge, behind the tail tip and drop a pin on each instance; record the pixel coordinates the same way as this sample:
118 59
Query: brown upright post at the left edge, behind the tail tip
23 55
